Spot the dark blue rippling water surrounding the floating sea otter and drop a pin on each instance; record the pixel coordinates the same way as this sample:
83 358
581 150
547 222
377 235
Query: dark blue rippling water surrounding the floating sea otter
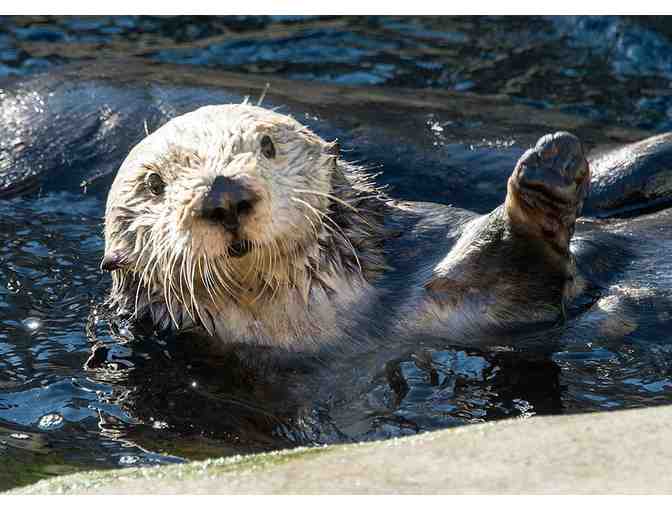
152 402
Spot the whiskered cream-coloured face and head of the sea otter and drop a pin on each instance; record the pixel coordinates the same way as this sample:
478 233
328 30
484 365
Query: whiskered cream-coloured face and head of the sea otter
216 207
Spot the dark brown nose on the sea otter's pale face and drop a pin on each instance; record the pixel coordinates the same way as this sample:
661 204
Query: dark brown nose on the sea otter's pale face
227 201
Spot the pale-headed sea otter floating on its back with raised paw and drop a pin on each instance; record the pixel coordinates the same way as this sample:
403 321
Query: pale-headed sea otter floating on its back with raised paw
243 224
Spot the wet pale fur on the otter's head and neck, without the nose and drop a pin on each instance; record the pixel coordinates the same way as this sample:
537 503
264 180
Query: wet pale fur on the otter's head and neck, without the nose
309 229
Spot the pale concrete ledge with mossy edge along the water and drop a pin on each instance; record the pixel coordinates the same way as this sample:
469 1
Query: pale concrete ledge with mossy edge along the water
619 452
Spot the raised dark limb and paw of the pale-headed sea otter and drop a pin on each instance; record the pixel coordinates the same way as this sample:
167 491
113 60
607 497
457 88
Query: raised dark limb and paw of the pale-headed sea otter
513 267
